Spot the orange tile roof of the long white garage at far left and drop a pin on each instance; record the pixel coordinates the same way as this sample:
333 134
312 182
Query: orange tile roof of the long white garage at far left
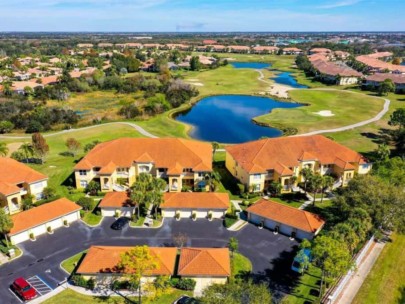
44 213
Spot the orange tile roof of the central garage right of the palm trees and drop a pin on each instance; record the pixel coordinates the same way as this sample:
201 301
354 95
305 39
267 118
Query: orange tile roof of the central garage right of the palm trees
195 200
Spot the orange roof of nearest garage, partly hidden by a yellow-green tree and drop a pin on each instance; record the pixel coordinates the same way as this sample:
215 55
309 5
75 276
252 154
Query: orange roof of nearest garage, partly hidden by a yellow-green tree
105 259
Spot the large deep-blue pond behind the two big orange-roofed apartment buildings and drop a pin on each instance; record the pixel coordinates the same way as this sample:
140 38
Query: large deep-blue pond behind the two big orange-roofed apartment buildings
227 118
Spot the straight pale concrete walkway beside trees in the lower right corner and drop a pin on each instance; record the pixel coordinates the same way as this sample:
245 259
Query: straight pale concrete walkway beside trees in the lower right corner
353 286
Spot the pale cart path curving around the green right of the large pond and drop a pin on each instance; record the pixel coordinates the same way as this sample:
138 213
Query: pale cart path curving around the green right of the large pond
344 128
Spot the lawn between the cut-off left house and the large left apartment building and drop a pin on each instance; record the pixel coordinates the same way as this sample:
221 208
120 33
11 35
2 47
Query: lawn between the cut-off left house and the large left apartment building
59 168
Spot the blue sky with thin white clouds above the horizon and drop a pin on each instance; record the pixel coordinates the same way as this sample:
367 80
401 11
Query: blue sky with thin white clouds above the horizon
200 15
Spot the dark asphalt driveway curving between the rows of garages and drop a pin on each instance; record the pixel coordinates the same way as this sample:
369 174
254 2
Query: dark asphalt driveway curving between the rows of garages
271 255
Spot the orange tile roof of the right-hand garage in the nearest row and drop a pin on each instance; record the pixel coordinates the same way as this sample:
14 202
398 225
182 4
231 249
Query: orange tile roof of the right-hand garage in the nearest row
209 262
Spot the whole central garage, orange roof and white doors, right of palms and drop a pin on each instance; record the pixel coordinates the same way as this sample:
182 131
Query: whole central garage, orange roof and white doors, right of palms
201 203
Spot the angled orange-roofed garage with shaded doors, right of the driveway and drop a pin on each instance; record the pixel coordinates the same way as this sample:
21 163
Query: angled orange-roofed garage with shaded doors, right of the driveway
284 219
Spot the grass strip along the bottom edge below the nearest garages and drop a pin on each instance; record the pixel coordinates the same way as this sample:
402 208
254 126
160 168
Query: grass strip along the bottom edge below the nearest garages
69 296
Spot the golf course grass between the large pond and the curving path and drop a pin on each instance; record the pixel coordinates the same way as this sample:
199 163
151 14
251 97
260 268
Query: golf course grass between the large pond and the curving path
347 107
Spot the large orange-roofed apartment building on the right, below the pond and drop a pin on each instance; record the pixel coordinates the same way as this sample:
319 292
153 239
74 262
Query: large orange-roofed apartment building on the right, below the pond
257 164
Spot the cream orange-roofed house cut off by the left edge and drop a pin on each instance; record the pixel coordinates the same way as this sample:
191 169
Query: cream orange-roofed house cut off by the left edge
18 181
